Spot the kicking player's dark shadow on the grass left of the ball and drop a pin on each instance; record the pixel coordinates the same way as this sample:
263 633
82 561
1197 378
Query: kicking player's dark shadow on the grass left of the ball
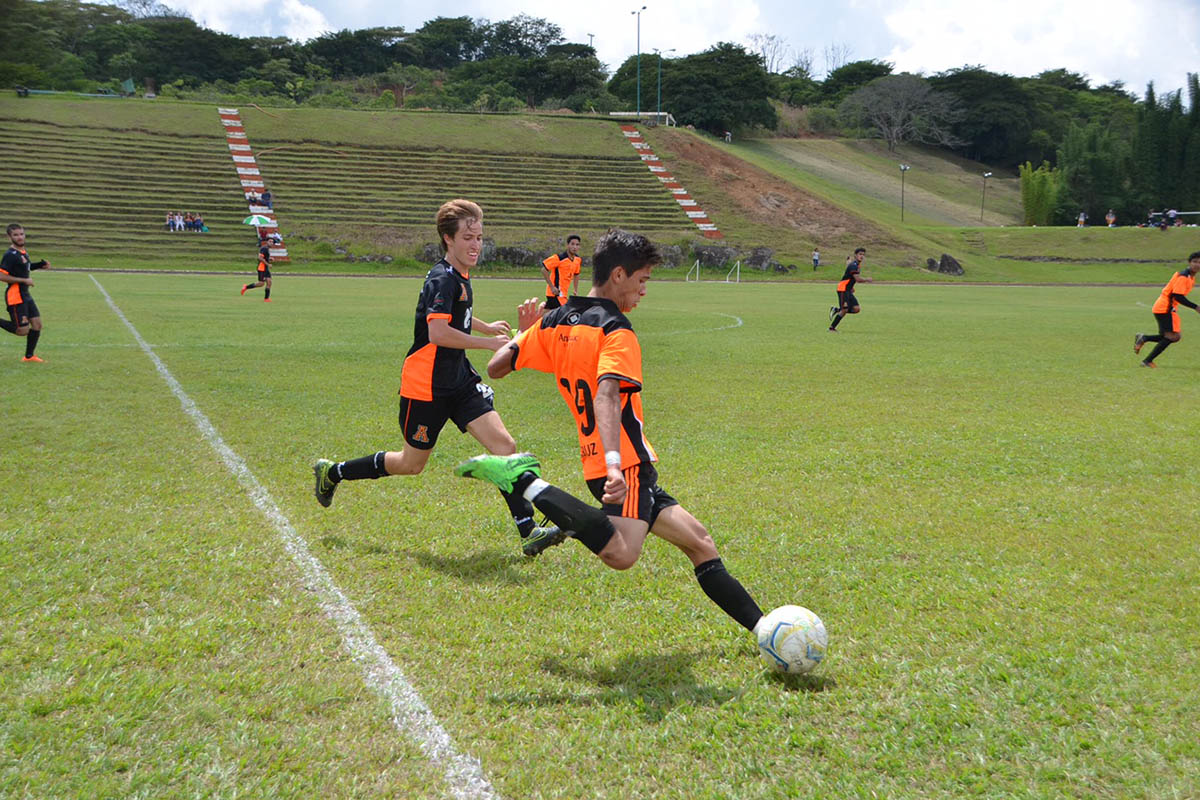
652 685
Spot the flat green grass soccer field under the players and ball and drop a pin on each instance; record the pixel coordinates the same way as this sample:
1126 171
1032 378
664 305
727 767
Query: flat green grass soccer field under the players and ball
979 491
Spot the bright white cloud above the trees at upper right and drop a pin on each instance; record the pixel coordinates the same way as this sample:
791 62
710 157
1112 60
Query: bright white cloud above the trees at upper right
1106 40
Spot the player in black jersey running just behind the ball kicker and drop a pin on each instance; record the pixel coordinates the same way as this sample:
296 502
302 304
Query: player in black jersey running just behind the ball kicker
439 383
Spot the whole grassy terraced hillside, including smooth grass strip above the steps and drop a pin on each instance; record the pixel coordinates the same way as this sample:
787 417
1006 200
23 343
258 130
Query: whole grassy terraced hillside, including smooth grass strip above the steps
371 183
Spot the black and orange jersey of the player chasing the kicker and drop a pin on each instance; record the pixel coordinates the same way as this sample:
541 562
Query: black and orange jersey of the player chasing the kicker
431 370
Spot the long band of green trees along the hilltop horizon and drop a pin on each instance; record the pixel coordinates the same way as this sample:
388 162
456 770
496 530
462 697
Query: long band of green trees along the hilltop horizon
1083 148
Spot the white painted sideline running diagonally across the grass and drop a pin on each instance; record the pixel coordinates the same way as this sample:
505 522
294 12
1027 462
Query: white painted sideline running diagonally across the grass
410 713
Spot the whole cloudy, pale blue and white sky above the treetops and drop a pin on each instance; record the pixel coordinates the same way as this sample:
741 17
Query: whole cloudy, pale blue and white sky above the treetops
1107 40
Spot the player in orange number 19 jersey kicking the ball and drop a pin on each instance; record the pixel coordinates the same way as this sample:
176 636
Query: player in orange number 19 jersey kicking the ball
591 348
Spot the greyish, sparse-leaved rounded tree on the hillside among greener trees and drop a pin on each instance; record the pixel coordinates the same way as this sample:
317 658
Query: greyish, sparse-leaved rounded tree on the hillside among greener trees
903 109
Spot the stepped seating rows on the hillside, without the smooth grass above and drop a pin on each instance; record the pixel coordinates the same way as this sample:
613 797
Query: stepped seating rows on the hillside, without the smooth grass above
105 194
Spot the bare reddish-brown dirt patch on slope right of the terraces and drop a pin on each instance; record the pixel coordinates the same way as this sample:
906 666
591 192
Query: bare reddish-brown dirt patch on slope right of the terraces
760 196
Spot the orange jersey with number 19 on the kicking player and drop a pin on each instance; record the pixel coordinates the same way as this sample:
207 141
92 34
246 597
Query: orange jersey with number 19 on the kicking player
583 344
